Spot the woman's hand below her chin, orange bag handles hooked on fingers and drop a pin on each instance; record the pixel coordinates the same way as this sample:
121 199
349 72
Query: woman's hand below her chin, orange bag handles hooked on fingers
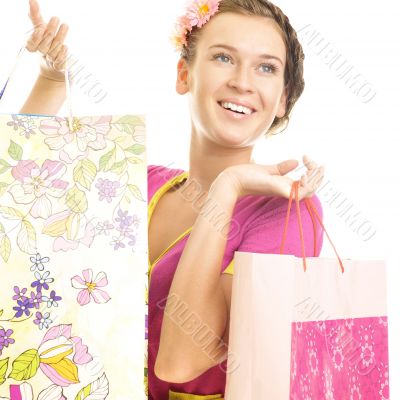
270 180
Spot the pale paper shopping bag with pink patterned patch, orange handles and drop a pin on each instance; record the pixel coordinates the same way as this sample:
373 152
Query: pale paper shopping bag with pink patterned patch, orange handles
307 334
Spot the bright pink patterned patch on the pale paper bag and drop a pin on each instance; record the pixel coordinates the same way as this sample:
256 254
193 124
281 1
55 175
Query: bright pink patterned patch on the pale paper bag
340 359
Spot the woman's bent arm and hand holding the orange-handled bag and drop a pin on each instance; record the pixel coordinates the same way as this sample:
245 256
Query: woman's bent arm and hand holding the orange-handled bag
206 296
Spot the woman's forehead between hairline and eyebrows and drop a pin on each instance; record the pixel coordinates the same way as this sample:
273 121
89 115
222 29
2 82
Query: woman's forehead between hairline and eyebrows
250 35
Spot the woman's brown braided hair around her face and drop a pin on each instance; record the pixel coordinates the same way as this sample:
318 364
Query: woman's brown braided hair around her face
294 81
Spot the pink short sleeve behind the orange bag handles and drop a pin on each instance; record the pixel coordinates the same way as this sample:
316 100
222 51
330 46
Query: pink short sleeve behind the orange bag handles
265 233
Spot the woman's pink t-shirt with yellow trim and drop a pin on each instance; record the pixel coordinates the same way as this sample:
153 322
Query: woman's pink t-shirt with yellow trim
259 223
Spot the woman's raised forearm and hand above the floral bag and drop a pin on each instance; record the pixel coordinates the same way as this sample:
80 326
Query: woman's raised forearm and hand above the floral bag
48 93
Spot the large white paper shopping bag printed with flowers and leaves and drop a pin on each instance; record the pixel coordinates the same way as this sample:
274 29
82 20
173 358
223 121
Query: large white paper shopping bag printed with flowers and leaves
73 257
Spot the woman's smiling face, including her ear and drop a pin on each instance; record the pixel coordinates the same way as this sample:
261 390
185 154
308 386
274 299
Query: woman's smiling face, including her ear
236 81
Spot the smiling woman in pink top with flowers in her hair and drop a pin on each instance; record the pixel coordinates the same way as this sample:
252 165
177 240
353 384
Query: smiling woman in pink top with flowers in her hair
242 68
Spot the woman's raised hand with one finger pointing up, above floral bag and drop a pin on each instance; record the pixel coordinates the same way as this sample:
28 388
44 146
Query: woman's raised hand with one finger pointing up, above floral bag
48 39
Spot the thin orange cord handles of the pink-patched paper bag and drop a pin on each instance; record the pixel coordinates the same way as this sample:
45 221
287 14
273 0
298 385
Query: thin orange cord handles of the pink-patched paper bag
314 215
